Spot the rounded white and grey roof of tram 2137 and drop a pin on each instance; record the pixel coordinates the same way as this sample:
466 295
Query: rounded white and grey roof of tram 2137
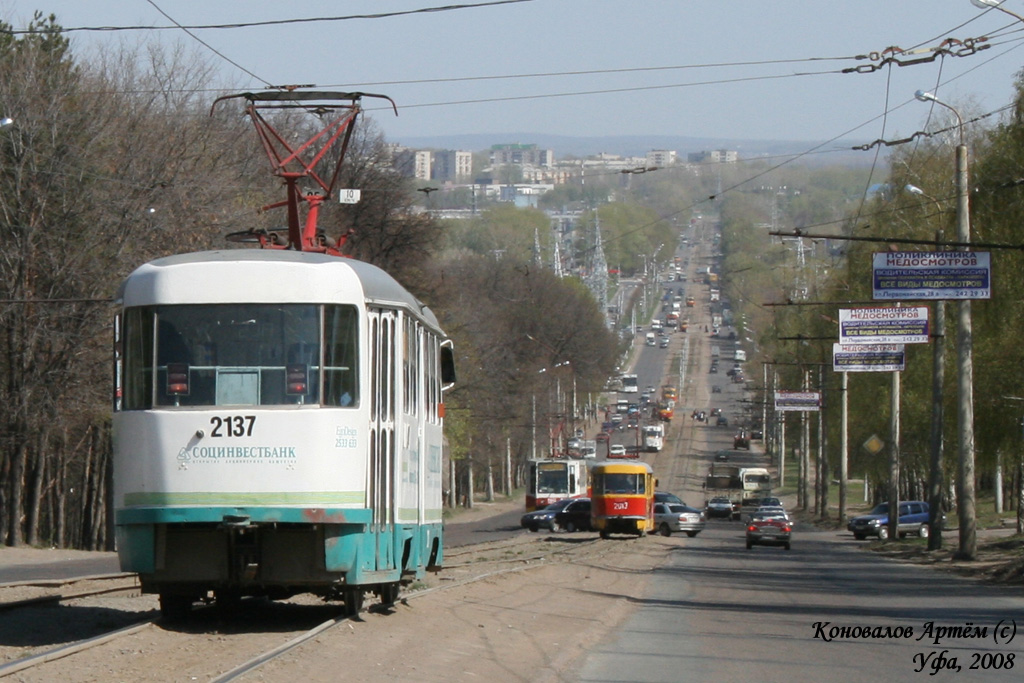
264 276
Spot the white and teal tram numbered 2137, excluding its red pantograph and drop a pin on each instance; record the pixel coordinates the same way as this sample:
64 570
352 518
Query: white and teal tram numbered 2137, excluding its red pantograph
278 429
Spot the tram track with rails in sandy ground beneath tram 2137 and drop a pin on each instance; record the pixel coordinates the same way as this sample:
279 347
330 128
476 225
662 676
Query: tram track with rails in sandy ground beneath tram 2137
261 633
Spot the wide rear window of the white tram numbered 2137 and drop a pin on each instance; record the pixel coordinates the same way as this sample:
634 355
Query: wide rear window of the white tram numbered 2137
240 355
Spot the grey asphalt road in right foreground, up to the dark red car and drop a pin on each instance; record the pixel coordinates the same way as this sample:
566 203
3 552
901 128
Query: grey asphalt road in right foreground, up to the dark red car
718 612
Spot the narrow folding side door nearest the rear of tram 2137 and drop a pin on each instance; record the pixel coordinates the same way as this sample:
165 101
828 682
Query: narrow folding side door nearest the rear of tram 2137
383 395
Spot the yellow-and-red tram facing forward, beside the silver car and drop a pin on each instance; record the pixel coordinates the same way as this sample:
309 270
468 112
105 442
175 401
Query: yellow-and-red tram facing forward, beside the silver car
623 498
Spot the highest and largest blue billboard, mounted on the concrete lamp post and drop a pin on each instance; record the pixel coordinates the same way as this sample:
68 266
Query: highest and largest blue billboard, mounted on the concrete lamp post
916 276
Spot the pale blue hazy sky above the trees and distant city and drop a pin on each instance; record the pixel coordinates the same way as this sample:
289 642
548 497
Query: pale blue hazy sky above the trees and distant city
730 70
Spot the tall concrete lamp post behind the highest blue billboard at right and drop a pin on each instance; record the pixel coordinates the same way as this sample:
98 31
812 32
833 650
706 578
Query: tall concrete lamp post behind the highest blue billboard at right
965 365
